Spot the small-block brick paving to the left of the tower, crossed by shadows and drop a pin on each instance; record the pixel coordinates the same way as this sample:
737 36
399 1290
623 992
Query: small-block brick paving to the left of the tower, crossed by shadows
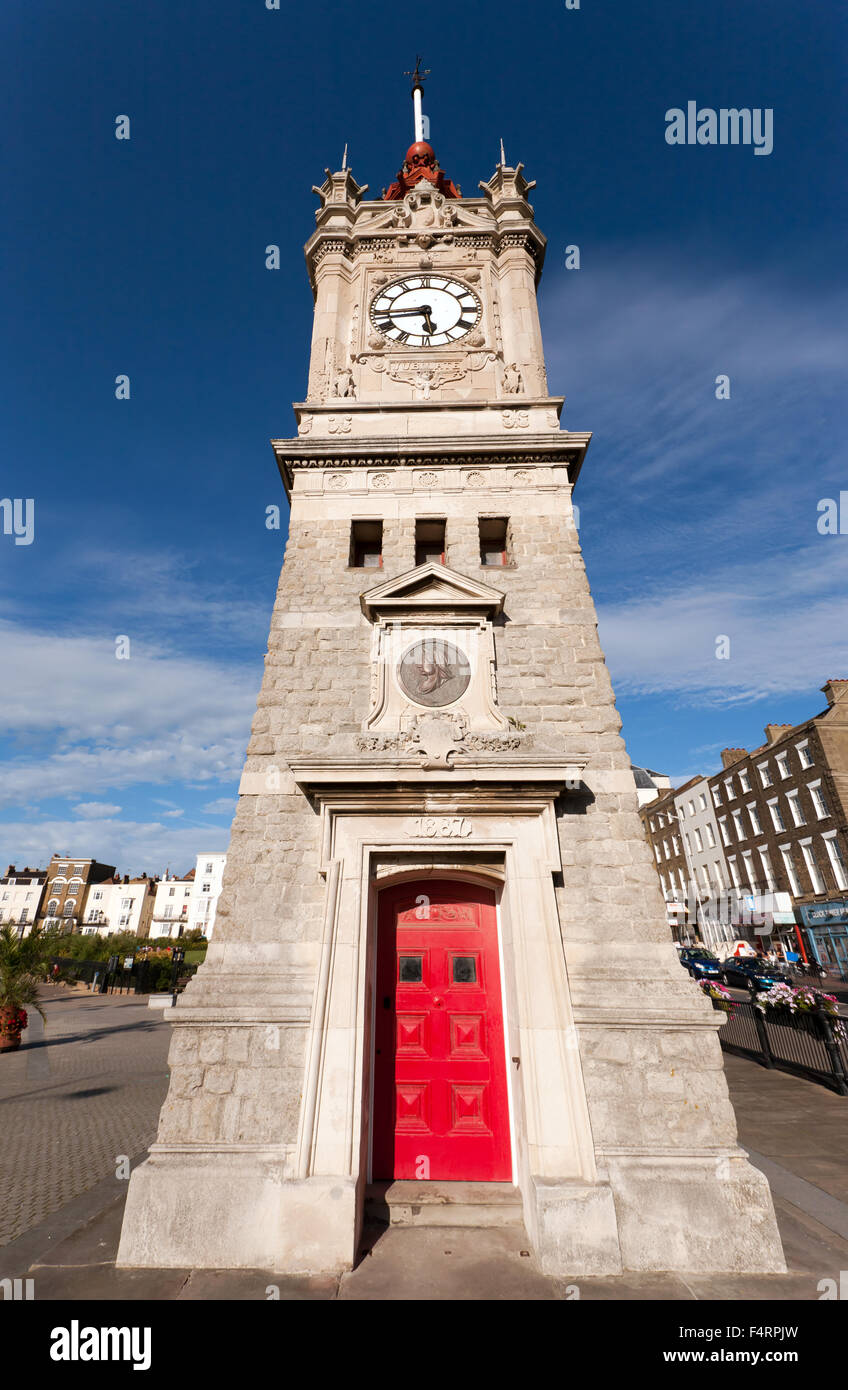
83 1090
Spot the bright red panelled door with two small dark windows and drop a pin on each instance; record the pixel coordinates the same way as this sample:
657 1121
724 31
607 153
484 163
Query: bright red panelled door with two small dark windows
440 1070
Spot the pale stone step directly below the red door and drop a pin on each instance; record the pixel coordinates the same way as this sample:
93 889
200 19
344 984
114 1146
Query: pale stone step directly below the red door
444 1204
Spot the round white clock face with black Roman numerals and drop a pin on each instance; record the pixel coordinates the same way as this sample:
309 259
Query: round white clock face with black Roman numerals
426 311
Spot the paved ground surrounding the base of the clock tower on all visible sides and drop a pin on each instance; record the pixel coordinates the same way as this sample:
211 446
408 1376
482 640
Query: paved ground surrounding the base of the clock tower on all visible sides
99 1096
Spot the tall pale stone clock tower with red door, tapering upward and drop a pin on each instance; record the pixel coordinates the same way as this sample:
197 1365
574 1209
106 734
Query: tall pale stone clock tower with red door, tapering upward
440 953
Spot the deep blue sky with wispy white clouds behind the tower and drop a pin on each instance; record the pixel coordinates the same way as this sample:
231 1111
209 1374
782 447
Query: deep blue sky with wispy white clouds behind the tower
147 256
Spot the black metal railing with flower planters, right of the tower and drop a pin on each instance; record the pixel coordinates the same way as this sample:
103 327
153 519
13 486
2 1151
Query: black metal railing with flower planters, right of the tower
811 1045
